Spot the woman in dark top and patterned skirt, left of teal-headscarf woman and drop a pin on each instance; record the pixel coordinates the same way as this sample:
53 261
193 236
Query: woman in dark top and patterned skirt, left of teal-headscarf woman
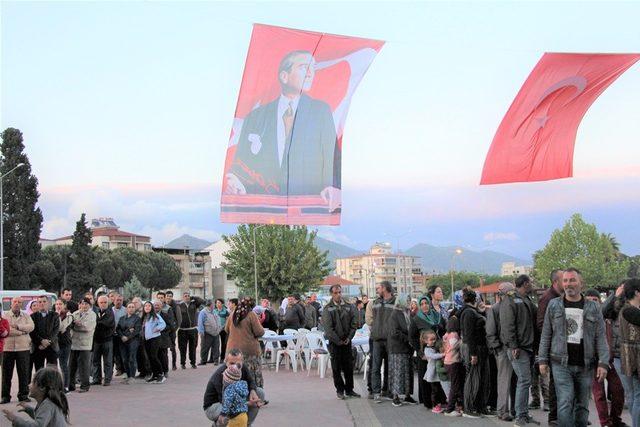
400 351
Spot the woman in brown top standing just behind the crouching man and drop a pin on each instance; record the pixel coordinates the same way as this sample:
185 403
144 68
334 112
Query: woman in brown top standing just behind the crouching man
243 331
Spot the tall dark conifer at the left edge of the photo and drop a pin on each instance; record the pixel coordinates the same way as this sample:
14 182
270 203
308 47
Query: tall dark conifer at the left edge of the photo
22 220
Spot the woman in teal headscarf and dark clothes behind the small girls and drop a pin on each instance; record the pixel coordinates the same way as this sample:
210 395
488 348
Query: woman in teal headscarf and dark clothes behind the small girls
426 319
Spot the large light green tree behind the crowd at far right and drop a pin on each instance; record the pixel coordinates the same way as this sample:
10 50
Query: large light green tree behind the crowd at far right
578 244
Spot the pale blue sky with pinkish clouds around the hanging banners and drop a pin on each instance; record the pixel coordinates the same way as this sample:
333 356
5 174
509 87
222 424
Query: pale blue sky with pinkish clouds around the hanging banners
126 109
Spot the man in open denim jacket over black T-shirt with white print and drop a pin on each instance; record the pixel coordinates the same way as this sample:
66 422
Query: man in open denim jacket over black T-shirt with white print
573 341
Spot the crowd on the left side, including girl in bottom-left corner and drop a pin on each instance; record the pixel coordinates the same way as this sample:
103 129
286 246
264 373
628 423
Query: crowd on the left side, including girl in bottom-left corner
73 346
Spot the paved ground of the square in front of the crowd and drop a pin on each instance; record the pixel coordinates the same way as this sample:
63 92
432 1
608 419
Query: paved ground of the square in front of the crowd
295 400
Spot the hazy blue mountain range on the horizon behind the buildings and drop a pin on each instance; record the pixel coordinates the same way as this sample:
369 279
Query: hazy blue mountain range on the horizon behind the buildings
435 259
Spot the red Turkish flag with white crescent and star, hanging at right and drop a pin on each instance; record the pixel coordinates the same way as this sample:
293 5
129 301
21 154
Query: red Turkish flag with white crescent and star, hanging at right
536 138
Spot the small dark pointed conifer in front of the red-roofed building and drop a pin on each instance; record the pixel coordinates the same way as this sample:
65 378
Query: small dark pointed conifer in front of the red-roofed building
81 260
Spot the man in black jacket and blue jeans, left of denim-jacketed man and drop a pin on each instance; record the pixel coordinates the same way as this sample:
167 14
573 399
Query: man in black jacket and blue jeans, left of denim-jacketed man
518 334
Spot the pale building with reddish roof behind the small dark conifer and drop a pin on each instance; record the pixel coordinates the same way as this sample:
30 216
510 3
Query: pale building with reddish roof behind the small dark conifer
106 234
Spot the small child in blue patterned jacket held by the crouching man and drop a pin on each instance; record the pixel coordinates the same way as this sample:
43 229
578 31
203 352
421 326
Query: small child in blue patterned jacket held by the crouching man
235 393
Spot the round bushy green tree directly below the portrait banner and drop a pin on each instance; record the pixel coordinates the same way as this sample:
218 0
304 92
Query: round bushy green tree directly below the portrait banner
287 260
